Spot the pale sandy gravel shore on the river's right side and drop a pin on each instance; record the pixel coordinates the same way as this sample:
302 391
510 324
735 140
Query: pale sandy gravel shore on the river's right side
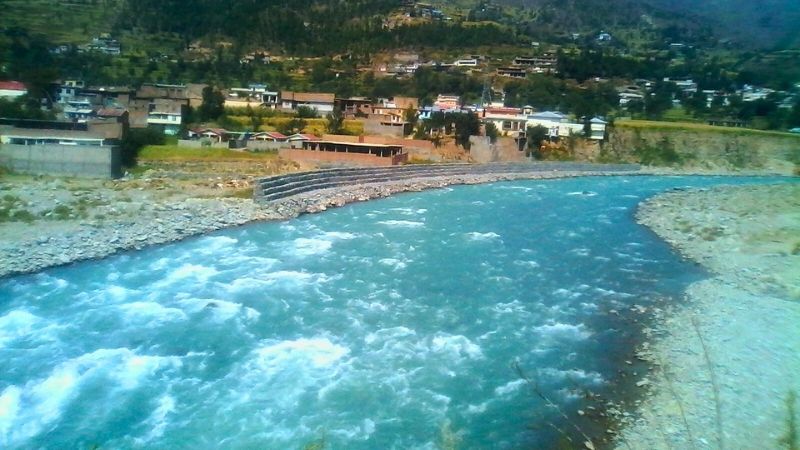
728 358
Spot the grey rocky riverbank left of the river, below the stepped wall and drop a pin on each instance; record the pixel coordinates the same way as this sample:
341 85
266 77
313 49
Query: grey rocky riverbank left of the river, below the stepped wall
58 222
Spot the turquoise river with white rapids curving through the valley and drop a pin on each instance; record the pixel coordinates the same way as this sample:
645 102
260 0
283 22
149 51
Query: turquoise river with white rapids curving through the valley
395 323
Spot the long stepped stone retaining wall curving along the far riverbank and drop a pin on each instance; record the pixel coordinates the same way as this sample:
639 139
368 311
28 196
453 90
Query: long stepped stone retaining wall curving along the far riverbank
284 186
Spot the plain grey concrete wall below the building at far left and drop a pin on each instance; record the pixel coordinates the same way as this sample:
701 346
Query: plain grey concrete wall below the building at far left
71 160
